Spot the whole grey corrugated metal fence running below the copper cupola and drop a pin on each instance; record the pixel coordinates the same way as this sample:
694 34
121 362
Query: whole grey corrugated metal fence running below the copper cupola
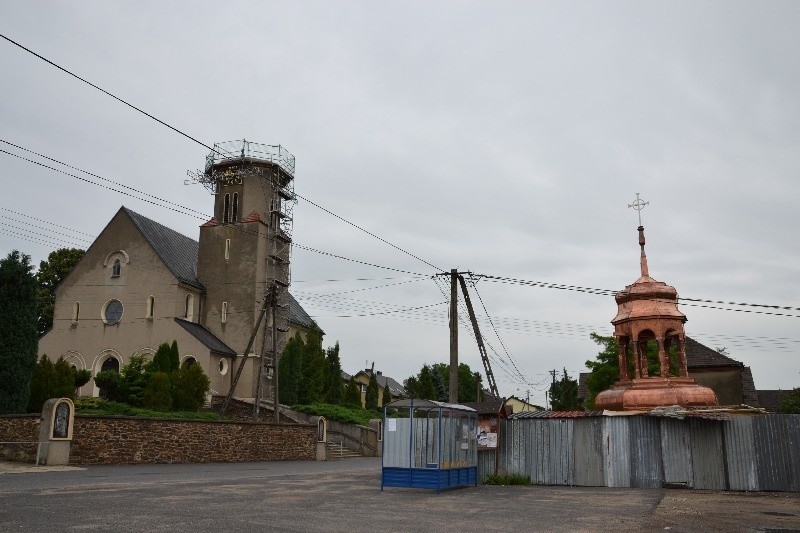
744 453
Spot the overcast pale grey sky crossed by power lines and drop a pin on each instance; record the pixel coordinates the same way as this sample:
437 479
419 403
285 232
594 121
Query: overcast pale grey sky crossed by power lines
503 138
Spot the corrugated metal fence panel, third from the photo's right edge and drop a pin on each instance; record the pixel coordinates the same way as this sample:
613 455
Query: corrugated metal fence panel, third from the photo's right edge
708 462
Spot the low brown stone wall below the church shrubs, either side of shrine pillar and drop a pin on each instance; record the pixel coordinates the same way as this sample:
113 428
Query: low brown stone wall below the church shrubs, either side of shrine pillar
124 440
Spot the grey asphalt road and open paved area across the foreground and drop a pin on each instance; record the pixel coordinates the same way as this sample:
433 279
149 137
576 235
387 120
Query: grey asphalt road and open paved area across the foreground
346 496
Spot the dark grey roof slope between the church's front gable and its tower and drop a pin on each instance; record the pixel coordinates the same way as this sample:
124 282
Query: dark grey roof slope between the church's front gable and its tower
178 251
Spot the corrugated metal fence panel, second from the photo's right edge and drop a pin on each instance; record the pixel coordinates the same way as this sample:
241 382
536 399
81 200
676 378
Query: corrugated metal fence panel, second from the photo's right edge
740 455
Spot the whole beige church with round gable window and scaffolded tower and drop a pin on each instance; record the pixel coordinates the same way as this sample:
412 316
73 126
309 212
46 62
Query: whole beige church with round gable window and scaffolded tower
141 284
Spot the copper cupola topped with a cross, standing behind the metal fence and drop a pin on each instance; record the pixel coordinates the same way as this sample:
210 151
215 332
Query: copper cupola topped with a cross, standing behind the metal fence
648 316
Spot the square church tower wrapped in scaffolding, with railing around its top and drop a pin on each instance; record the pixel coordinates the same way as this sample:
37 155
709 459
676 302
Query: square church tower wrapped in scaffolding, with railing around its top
244 255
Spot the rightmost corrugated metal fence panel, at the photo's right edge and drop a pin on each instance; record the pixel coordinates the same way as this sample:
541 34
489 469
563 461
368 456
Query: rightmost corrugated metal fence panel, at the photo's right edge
773 452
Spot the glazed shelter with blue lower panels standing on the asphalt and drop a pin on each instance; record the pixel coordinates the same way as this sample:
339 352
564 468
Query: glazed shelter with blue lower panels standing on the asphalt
429 445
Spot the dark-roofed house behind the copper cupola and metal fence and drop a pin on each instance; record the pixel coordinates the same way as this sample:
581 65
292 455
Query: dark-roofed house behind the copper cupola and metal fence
730 380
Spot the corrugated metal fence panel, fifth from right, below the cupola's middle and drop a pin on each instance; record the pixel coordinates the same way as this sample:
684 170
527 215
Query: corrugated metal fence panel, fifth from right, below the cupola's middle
645 452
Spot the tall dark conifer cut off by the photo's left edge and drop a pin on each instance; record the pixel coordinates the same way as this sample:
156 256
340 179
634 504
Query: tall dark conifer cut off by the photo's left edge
18 332
